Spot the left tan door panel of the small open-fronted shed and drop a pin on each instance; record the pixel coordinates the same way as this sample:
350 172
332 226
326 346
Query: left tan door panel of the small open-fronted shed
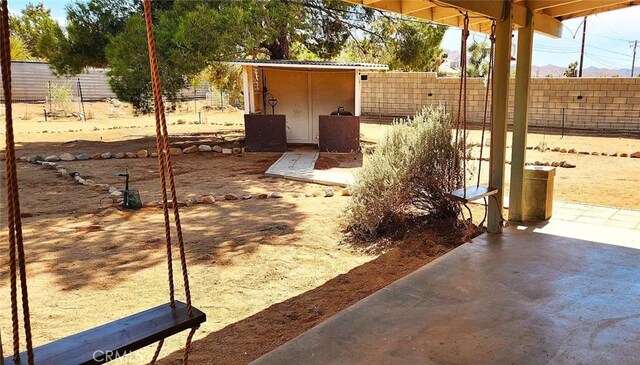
290 88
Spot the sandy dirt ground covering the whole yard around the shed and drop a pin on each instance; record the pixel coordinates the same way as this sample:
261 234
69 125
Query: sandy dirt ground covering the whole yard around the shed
264 271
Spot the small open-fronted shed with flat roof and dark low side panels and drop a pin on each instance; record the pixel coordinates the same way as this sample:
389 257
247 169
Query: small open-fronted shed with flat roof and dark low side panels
284 100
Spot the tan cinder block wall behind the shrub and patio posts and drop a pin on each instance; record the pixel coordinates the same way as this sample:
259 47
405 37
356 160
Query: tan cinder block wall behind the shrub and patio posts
587 103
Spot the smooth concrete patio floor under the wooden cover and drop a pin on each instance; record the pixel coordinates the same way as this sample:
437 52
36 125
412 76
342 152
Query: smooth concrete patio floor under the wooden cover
534 295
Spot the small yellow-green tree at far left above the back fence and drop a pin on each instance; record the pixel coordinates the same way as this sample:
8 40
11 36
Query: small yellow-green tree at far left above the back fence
35 27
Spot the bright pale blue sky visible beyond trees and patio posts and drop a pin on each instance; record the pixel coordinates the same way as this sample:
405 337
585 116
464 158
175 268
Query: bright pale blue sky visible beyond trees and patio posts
608 36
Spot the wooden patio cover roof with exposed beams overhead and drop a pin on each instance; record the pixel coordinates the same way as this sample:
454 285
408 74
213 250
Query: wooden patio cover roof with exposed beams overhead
548 14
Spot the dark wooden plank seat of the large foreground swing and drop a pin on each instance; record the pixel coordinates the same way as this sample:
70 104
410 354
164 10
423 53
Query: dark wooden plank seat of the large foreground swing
118 338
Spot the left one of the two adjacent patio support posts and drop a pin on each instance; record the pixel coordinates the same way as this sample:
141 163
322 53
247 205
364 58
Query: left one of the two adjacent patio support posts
502 69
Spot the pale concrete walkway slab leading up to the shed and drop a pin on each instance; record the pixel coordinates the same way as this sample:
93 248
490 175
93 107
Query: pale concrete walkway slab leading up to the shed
299 165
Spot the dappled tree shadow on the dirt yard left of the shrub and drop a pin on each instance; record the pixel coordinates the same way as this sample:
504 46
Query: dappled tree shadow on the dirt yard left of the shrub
69 237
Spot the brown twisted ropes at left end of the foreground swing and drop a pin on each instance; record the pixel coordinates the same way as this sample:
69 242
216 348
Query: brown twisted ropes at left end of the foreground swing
16 244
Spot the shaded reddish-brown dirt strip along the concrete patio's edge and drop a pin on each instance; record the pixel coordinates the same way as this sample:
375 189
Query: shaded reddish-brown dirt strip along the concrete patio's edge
254 336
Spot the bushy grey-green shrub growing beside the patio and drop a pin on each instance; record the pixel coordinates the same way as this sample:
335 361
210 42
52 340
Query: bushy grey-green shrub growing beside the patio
410 170
